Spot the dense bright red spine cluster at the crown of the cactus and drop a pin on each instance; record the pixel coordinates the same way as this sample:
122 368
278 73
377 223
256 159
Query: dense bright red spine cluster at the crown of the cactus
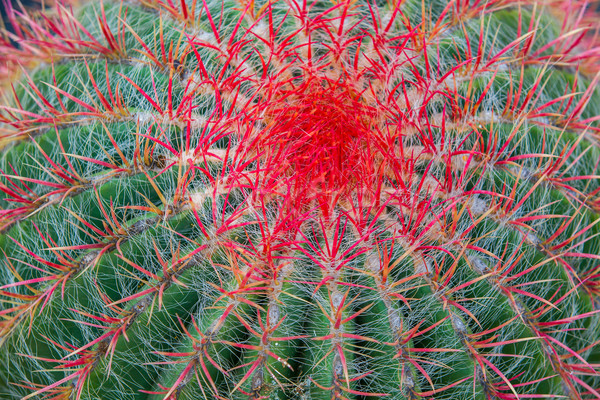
320 134
